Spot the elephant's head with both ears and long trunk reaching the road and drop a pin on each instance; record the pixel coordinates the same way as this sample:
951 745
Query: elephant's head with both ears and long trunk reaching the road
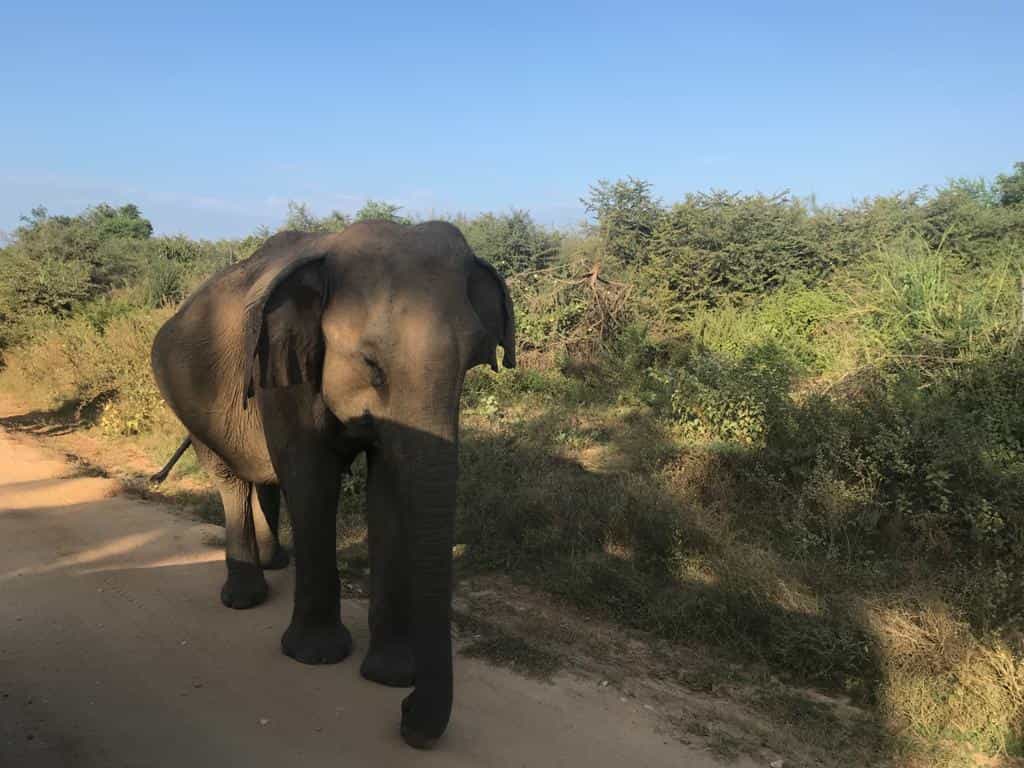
387 320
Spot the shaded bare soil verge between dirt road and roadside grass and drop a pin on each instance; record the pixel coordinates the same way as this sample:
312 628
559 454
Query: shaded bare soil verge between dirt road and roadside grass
700 701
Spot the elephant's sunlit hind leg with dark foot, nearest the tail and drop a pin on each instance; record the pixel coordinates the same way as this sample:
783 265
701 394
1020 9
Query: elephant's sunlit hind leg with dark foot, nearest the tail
245 586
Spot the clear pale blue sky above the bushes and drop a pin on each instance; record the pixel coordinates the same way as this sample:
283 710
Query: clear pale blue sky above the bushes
211 119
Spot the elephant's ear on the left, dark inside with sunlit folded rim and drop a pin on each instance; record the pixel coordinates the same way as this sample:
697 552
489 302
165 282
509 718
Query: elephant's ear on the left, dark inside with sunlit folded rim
283 336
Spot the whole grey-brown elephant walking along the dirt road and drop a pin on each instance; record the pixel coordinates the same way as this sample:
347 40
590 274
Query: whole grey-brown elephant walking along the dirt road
287 366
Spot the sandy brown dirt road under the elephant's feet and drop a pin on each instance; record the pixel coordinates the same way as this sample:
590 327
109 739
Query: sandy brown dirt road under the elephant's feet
115 652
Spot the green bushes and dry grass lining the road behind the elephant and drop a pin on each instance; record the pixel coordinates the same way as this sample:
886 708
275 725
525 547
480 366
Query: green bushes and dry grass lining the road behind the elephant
789 433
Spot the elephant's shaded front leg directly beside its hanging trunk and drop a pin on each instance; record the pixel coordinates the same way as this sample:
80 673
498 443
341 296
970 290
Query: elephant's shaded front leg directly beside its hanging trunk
390 660
